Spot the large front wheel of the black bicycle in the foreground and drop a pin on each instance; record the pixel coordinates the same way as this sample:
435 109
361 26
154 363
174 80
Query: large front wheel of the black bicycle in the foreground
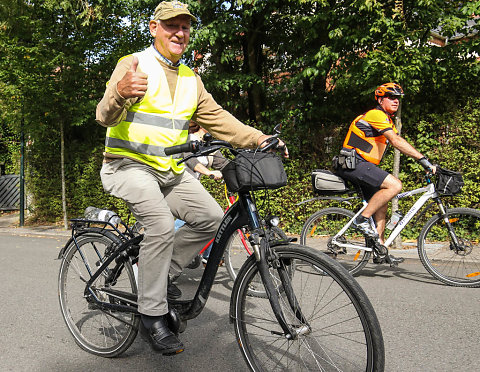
339 330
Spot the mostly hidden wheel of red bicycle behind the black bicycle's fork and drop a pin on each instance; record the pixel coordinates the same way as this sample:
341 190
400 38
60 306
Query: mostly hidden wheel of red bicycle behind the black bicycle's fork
236 254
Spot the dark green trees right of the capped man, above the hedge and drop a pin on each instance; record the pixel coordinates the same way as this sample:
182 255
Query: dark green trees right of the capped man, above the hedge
315 64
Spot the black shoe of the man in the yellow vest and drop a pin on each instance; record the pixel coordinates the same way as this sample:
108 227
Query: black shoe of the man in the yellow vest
161 338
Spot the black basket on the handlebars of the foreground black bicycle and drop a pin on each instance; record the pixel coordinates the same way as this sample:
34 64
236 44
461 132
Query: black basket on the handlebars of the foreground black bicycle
250 171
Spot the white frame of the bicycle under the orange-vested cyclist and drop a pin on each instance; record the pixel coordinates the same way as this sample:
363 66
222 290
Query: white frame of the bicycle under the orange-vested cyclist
428 191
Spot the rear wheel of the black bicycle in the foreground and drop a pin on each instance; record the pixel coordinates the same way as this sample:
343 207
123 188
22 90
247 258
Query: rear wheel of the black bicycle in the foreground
101 332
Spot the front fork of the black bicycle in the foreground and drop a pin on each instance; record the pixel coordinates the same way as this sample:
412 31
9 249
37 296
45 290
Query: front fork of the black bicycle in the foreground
263 255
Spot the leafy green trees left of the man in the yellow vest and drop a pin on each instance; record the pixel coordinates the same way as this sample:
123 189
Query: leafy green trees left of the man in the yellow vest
57 59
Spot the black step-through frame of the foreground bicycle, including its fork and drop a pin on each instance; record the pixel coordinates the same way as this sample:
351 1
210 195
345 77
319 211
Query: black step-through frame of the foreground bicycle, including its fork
240 214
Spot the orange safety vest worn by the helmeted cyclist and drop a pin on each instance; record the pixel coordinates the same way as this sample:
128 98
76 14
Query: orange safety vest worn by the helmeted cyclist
366 140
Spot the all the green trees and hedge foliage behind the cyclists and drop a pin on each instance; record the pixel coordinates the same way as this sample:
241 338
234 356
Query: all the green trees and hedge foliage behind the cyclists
311 65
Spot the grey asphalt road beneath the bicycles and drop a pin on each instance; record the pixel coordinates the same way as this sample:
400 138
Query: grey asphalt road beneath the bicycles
426 326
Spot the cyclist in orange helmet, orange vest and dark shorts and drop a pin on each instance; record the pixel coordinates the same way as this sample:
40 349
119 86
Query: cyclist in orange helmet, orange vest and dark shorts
368 135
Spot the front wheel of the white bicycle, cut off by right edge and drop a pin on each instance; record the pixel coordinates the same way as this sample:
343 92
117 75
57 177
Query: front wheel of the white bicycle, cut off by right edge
460 268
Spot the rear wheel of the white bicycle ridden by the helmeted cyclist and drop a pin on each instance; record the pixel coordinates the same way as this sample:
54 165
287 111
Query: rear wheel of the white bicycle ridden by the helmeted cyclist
321 226
